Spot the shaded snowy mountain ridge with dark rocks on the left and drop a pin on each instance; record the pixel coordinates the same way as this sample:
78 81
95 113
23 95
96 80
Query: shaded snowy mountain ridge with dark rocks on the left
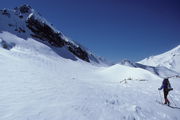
26 23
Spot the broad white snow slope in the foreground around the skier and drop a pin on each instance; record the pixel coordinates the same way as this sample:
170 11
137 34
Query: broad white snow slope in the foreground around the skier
38 84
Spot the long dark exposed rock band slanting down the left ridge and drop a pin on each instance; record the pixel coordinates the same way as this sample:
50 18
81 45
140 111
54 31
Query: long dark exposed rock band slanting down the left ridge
44 32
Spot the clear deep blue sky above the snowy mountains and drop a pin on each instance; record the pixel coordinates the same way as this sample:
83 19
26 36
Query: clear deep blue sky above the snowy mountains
113 29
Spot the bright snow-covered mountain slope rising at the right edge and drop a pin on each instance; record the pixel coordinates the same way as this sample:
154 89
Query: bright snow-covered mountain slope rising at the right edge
170 59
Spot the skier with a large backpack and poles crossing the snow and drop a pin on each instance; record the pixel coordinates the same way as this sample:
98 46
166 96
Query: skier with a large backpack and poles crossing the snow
166 86
